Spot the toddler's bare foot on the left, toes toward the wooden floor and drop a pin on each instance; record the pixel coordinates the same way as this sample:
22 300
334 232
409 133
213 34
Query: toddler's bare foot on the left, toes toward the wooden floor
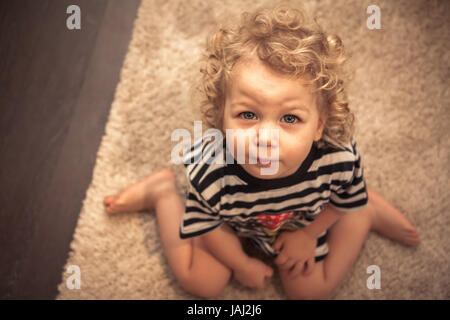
143 194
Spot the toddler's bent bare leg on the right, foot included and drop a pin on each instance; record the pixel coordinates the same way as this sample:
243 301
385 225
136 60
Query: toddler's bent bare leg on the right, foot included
345 240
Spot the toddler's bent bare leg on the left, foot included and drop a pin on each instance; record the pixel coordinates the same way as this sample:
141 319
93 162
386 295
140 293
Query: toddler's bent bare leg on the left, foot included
199 272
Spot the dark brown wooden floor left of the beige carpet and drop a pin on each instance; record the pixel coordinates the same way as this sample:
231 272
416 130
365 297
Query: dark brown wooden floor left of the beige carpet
56 89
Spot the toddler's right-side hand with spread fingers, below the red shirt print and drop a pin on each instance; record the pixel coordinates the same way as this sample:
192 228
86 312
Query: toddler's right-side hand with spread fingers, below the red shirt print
296 249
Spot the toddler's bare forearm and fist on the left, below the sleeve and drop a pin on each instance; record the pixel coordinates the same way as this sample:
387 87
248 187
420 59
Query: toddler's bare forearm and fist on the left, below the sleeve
224 244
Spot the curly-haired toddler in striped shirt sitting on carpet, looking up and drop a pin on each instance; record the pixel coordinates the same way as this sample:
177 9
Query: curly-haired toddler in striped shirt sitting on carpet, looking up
309 218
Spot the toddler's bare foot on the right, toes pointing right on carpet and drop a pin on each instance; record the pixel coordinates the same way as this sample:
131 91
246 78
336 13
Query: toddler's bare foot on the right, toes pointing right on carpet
390 222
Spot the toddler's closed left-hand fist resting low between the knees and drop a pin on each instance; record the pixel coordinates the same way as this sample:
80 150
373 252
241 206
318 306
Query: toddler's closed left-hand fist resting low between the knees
253 273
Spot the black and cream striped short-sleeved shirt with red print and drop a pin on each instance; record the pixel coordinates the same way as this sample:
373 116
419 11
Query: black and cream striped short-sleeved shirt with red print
263 208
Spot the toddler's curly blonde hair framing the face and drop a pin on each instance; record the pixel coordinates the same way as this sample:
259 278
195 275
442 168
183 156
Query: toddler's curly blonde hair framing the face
281 38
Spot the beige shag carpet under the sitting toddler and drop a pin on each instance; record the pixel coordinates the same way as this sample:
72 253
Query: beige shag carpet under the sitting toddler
400 94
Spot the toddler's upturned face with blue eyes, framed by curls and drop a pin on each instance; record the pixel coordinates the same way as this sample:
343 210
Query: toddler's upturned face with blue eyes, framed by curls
259 98
